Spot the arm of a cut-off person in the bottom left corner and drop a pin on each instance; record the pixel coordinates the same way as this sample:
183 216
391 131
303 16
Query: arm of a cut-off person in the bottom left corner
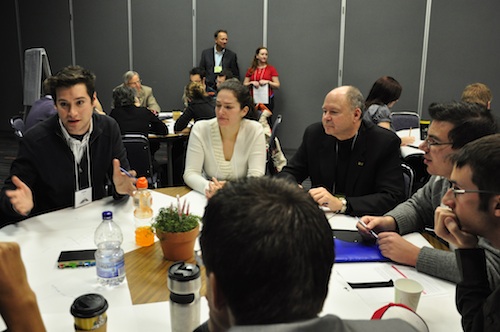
18 306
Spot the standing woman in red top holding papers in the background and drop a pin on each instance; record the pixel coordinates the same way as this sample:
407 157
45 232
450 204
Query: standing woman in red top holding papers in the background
262 75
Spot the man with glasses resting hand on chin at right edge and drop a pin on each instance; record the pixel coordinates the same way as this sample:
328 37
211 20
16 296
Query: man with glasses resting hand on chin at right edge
472 212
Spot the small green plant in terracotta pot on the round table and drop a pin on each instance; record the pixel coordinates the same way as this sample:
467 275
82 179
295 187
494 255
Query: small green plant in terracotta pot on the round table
177 231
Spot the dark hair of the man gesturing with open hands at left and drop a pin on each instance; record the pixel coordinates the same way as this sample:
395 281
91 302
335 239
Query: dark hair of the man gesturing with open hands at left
70 76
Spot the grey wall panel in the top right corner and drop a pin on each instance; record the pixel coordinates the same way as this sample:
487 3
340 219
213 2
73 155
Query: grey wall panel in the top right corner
463 49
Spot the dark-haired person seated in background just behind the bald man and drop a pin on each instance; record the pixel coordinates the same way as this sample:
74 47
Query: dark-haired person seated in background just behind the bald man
383 95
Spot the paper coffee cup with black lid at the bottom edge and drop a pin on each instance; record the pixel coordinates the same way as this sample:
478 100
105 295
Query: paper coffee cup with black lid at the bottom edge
89 311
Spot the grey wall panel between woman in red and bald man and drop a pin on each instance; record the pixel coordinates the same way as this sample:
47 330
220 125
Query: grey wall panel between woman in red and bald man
303 40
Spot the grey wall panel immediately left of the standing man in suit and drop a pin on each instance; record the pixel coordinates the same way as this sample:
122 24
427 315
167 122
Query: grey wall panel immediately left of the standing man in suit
162 47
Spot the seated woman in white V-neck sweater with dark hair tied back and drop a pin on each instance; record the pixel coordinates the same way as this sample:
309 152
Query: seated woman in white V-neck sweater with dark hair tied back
228 147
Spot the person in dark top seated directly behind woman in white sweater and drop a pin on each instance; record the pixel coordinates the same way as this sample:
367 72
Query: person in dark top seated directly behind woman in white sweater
200 106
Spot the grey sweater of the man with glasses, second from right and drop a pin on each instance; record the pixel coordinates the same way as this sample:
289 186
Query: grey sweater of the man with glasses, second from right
416 213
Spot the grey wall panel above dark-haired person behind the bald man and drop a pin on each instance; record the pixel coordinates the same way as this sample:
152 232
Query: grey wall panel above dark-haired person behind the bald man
385 37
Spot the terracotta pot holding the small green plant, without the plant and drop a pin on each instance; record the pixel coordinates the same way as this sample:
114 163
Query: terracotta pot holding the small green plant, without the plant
178 246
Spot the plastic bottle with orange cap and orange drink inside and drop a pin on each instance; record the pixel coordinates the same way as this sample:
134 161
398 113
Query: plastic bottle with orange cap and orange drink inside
143 214
